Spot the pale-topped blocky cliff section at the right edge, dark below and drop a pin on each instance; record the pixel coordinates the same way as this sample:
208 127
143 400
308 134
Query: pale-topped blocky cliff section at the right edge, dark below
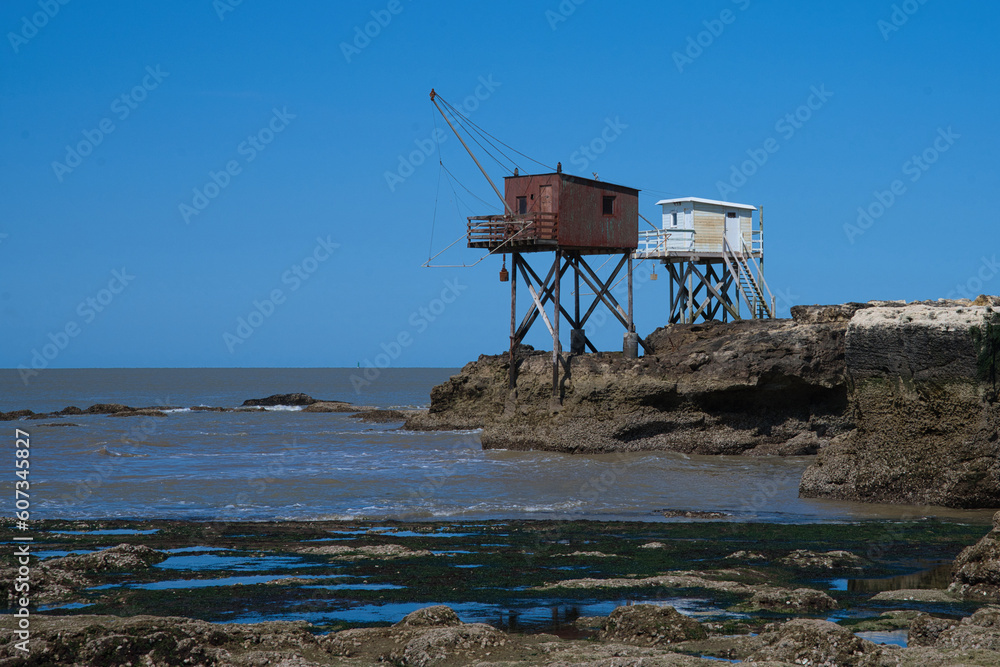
926 431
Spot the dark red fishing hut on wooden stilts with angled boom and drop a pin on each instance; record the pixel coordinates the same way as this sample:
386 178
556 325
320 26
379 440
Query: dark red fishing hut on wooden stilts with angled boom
558 222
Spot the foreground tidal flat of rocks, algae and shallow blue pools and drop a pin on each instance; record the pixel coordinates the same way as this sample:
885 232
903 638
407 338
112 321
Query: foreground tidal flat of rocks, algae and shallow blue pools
508 593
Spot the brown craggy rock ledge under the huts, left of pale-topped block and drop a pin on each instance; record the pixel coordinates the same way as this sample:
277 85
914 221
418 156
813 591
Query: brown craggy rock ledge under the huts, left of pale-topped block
751 387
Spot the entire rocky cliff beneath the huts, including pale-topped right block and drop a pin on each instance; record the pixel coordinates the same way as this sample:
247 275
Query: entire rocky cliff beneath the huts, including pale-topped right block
893 397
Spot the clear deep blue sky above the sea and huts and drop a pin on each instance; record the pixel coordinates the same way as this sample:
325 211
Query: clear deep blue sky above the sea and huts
171 167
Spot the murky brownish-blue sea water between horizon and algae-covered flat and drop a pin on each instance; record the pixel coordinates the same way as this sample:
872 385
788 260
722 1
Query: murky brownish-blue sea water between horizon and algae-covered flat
285 464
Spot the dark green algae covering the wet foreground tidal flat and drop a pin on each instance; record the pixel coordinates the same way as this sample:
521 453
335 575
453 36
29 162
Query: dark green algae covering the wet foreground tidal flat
505 562
